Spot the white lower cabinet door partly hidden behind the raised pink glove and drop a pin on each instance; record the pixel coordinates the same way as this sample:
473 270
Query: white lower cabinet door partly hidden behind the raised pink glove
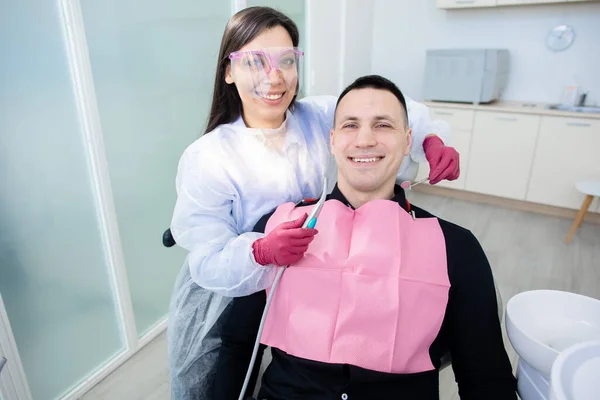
461 122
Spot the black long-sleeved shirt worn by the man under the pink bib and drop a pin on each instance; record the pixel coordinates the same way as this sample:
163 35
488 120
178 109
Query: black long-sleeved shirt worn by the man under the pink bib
470 333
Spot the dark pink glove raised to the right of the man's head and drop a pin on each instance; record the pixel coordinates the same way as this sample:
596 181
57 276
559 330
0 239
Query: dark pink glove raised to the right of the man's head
443 160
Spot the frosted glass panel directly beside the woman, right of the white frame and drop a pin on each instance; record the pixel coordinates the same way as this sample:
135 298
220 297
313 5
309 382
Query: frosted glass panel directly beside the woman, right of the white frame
153 63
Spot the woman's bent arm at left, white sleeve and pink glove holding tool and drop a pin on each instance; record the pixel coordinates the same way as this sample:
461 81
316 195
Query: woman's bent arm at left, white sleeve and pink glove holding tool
222 258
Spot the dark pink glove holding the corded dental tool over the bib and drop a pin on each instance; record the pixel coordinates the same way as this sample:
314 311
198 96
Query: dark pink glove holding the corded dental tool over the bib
285 244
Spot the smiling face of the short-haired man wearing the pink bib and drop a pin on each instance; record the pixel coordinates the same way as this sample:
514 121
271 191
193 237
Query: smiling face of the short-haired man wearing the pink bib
369 141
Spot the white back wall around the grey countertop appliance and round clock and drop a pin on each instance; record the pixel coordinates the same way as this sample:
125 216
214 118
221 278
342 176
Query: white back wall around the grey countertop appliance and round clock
404 29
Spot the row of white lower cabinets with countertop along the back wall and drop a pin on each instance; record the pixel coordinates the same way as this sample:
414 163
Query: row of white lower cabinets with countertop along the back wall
537 157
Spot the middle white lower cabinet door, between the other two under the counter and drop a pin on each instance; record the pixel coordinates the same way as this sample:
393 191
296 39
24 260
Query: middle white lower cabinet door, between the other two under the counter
501 154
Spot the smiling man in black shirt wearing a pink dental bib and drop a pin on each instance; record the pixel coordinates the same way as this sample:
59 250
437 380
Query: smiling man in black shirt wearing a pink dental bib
384 290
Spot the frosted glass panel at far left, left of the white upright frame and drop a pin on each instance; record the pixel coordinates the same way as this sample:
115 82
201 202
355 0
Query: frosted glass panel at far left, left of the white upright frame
54 277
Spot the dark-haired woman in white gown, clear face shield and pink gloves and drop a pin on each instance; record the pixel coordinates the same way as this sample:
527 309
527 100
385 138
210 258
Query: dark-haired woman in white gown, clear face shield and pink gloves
261 148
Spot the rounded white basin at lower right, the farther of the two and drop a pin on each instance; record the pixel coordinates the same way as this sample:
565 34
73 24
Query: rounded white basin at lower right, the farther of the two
542 323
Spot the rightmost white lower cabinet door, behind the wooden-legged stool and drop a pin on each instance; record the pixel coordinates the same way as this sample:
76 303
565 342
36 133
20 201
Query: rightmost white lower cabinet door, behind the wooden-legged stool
567 152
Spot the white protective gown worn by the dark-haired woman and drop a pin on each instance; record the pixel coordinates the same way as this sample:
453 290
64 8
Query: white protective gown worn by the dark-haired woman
226 181
